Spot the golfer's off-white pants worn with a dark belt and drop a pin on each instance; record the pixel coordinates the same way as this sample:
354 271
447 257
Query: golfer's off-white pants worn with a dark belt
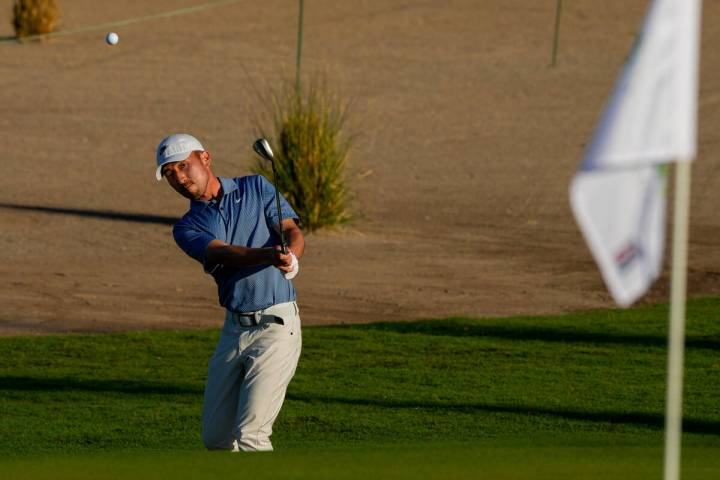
247 379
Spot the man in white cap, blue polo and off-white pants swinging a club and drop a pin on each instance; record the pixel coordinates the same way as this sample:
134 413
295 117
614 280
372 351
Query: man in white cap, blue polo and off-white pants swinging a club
232 228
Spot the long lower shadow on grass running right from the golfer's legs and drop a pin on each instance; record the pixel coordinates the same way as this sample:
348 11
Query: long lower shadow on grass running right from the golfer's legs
690 425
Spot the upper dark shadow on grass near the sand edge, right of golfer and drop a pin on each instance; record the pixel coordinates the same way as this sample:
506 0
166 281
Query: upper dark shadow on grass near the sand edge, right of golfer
460 328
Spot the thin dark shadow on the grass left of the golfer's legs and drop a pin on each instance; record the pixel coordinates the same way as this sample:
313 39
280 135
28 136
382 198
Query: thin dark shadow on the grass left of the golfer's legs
65 384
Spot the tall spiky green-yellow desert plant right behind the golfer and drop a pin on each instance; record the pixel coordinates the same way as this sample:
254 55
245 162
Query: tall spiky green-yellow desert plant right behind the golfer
310 151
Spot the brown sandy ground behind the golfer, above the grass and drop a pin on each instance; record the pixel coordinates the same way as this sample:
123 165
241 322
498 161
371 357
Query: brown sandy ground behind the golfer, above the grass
465 145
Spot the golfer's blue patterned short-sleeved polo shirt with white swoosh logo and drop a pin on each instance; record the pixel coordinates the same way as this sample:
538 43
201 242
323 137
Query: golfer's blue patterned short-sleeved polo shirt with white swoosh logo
244 216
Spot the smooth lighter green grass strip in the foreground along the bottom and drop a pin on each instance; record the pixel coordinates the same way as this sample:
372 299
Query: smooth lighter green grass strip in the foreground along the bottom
412 461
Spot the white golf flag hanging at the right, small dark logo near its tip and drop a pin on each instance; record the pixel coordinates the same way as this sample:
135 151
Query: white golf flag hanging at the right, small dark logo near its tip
618 194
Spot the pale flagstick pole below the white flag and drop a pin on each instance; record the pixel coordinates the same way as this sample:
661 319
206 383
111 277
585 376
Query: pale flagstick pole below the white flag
676 339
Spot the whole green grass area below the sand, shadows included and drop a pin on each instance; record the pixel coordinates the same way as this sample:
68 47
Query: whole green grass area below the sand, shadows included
500 395
